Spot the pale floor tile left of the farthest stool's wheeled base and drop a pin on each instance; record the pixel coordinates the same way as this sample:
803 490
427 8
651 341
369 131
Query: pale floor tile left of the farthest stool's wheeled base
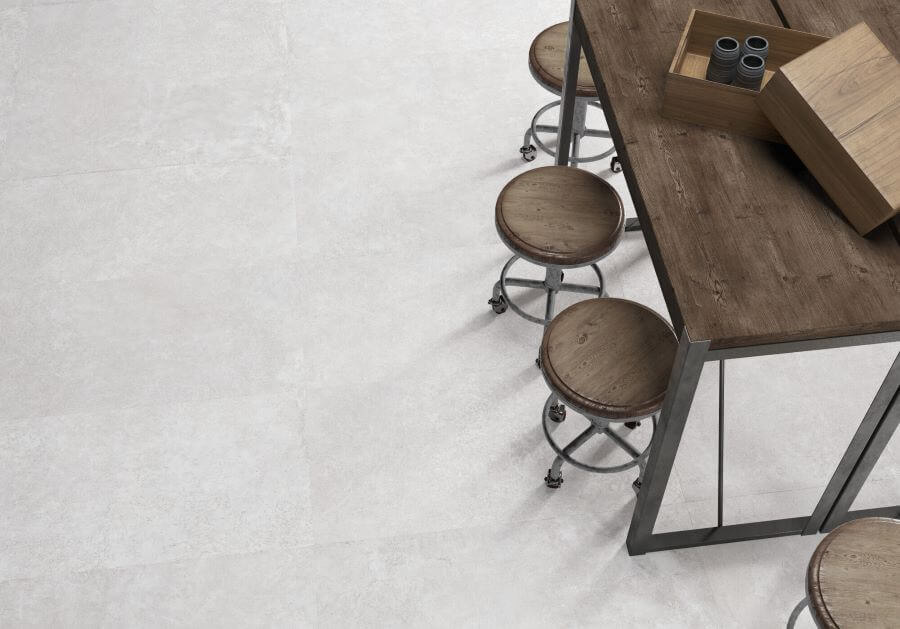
424 138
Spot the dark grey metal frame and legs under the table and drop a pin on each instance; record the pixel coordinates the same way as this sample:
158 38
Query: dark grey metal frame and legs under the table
869 441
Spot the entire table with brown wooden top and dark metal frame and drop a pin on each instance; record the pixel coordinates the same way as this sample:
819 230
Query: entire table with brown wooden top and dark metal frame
752 256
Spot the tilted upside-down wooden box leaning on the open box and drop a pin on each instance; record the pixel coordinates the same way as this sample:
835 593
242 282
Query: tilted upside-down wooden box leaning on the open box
839 109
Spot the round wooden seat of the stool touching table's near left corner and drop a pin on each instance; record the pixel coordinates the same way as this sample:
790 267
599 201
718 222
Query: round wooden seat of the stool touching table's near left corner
610 357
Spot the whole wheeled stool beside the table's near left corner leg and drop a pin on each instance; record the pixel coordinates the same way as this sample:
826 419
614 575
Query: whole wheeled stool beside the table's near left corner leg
608 359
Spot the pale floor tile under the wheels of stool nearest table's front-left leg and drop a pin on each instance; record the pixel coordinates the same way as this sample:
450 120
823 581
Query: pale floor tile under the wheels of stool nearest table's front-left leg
424 451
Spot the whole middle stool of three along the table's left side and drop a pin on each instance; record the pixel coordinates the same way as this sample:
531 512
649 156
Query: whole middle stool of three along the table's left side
559 218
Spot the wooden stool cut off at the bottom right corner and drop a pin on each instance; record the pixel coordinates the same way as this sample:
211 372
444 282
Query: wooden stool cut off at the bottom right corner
853 579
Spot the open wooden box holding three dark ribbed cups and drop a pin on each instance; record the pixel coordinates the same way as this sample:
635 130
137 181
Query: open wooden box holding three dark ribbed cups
690 97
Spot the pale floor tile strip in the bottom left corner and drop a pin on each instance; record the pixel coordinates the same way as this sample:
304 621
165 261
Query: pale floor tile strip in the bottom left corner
271 589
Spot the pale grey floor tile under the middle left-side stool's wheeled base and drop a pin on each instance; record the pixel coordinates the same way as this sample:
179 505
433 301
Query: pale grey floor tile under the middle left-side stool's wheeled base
372 318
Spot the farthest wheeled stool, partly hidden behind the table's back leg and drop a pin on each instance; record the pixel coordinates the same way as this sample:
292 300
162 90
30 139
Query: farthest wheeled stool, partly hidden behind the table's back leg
546 59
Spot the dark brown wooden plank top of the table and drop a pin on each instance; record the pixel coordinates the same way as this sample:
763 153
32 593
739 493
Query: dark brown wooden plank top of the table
748 248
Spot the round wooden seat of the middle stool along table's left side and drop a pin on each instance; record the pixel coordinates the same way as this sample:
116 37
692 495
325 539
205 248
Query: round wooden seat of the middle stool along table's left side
560 216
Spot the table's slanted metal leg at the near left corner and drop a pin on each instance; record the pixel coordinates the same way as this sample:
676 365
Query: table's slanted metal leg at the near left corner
682 385
